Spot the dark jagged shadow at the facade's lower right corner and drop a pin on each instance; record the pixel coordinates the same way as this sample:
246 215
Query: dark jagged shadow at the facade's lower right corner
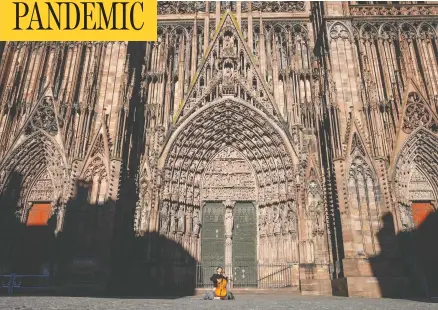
418 264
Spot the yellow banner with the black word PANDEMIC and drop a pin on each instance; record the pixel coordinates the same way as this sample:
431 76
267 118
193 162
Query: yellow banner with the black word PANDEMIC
78 20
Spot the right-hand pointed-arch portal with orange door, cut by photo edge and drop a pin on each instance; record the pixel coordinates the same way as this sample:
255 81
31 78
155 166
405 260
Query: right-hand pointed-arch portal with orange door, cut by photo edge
416 187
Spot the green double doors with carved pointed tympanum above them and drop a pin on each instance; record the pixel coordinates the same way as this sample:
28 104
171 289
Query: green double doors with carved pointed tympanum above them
229 237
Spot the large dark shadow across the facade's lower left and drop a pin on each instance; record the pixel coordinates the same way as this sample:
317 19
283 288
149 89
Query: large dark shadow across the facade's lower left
91 256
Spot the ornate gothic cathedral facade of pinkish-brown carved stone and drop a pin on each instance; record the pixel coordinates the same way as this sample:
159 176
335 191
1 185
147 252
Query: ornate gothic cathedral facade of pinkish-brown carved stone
298 134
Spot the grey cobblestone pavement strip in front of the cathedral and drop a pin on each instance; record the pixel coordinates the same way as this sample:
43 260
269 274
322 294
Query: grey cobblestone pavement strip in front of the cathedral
187 303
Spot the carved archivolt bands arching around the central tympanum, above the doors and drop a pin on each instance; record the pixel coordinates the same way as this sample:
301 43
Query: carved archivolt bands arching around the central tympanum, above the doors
228 123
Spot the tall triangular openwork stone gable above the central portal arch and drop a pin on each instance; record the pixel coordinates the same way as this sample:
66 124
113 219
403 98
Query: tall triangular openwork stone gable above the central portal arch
228 70
